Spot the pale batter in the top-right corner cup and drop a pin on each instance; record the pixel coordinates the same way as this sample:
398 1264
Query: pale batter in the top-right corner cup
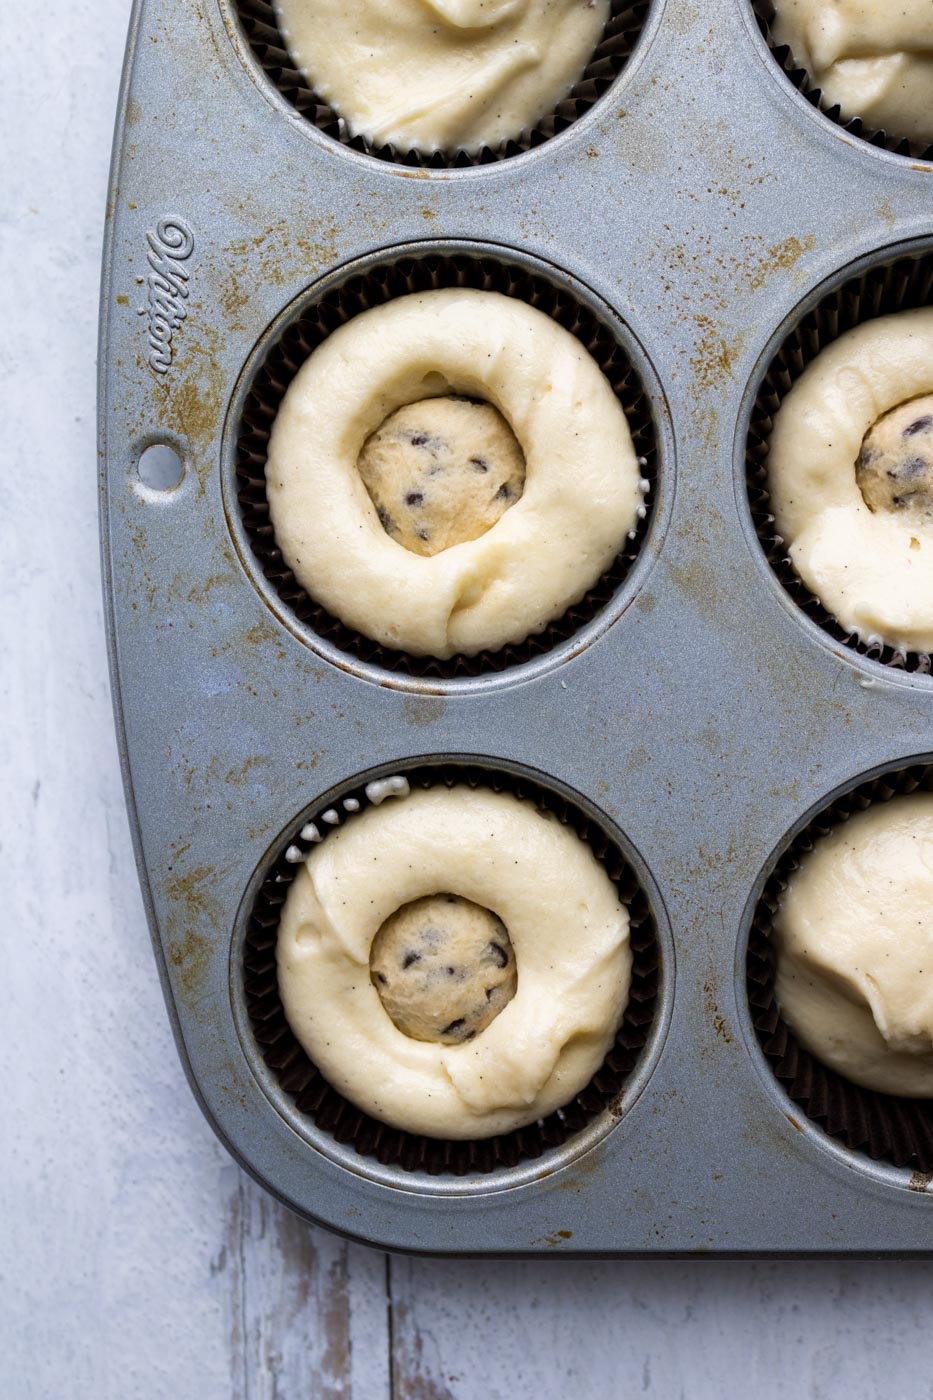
875 58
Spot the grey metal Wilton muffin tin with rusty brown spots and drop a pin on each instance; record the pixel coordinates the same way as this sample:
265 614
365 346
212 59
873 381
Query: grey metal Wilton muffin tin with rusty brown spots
697 715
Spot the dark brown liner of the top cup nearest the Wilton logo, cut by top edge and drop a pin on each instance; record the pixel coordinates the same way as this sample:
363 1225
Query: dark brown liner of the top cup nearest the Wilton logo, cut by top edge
624 29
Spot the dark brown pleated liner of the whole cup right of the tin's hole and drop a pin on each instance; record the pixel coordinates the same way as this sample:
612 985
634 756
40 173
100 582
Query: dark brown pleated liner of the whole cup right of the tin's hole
429 271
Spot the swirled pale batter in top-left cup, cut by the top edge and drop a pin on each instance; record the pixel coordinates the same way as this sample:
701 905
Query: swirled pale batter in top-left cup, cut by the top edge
442 75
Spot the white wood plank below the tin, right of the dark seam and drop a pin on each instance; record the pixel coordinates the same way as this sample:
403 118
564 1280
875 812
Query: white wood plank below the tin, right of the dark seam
703 1331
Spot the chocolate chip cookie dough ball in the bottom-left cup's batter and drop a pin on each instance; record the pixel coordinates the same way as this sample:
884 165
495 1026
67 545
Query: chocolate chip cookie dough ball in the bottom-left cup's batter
445 969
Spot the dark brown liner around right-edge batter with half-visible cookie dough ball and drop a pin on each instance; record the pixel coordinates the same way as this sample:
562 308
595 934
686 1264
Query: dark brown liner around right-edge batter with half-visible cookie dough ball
899 285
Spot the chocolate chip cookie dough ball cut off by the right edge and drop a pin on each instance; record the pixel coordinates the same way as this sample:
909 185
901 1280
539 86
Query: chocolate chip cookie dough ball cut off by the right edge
896 465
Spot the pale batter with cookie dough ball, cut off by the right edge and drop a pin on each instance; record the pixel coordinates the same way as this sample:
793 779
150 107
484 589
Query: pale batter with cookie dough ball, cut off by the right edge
850 479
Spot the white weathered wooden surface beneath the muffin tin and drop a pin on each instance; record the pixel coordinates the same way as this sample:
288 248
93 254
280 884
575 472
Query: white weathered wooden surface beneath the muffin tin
135 1259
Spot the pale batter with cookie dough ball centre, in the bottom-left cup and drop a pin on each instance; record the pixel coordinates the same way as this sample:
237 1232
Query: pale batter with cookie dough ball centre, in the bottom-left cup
568 946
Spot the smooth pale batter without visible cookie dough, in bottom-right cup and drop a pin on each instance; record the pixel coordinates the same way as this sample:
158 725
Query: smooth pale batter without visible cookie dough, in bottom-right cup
855 948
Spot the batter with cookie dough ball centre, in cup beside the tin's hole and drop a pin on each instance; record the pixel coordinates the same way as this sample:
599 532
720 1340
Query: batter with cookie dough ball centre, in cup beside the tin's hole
550 407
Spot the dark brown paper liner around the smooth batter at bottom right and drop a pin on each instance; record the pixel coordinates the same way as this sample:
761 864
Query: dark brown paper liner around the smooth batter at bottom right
883 1126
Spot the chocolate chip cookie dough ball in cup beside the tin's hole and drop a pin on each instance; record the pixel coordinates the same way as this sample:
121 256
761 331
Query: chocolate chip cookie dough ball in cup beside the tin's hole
442 472
